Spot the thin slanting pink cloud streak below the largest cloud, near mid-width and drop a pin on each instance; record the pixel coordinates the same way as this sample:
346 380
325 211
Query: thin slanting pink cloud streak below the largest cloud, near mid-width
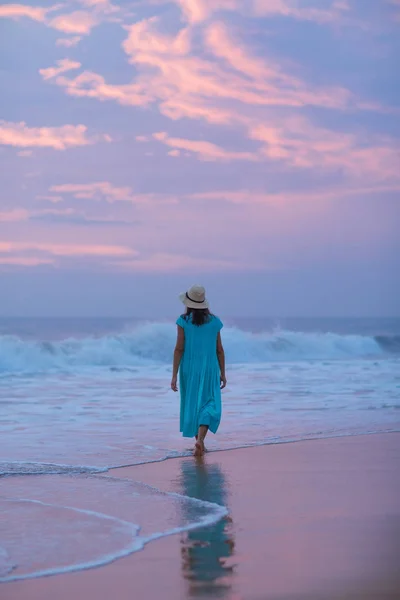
203 150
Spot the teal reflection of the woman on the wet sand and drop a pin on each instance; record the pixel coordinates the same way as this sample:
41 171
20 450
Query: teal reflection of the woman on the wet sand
206 552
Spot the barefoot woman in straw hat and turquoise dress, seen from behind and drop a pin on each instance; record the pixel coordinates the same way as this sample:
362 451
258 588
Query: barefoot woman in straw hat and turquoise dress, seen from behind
199 357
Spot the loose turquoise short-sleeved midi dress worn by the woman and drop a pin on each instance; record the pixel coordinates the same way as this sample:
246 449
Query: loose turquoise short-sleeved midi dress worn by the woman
199 376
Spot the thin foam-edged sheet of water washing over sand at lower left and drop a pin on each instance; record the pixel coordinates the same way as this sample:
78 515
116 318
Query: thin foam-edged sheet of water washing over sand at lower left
105 537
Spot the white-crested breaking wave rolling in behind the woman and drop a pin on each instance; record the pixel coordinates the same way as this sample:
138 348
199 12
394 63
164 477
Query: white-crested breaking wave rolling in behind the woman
153 343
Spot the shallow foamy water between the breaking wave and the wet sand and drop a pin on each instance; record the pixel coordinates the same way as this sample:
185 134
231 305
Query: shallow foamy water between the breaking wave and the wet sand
102 418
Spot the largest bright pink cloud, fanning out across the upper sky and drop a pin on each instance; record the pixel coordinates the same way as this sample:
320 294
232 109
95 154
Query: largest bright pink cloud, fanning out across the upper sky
184 85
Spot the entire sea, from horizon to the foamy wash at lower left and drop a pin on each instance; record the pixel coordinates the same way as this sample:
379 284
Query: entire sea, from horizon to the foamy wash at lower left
79 397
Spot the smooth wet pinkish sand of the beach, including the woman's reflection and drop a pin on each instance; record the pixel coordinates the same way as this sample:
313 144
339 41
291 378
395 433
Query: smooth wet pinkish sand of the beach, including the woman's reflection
309 520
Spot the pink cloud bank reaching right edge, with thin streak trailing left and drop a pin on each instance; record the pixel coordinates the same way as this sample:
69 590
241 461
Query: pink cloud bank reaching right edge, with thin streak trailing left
299 143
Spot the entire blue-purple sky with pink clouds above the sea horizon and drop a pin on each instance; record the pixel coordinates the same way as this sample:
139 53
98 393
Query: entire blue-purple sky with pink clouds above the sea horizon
251 146
